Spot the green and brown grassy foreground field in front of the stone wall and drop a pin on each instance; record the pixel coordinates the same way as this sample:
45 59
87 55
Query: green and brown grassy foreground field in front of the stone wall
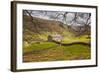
49 51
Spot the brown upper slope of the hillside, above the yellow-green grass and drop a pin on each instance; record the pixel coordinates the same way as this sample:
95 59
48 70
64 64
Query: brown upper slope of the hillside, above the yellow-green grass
43 25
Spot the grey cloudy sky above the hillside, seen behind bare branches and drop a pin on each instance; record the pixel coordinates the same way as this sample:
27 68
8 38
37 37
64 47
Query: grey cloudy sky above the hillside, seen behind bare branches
58 16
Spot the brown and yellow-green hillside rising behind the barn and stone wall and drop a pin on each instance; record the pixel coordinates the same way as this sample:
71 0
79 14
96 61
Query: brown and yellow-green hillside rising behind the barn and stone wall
38 29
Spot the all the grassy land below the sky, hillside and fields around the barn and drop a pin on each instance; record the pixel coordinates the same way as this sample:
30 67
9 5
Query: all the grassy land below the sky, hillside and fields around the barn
37 49
